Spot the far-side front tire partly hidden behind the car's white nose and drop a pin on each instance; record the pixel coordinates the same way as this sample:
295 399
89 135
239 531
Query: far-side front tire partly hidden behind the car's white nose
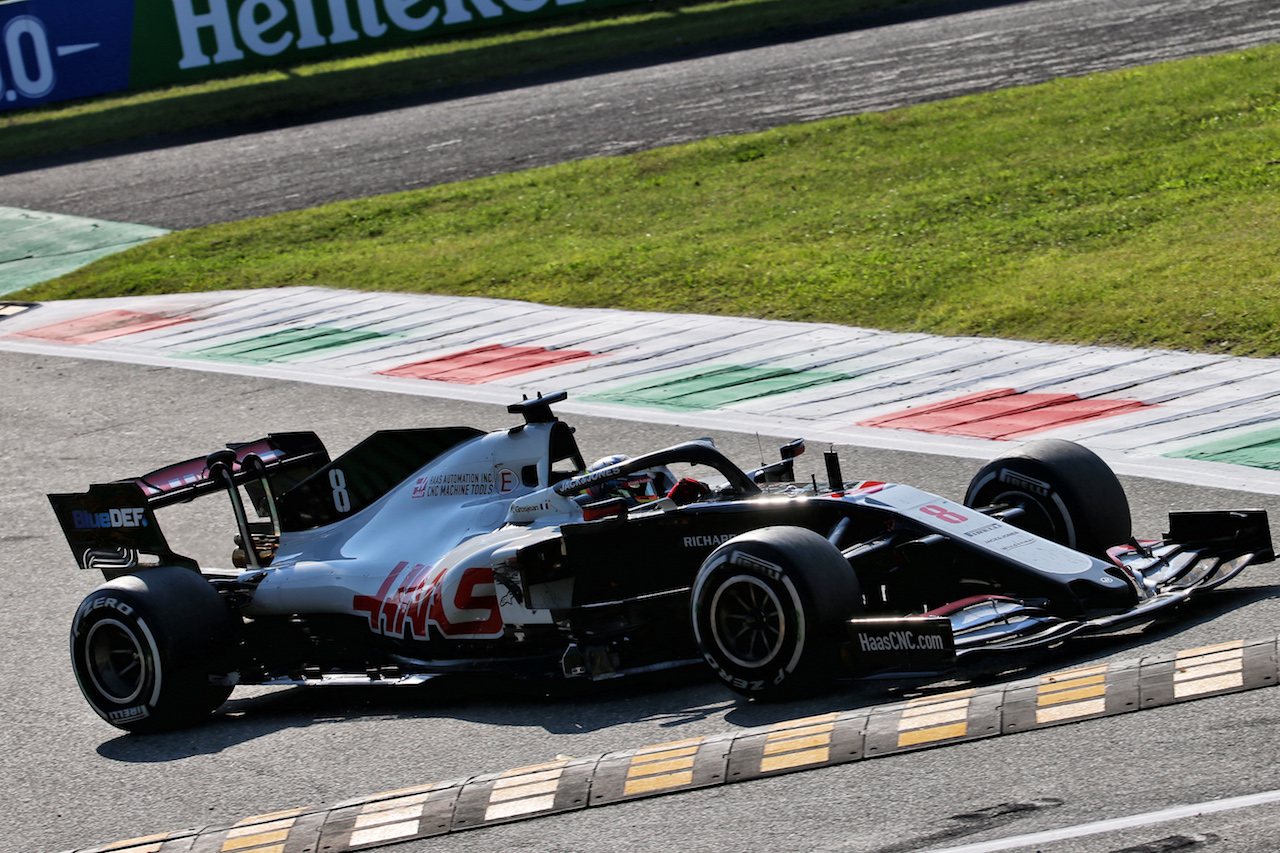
1064 491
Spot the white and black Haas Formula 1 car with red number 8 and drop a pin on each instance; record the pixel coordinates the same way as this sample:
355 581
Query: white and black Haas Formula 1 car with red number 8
432 551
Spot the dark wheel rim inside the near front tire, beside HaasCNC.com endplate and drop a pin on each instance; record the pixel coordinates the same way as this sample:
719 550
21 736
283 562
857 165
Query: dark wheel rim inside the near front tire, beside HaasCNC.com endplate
748 622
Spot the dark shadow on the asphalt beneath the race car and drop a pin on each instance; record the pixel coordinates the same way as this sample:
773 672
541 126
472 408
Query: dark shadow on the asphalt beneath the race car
676 703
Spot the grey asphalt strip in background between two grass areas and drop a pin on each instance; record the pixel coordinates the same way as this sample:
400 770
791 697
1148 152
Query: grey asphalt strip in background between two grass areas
620 108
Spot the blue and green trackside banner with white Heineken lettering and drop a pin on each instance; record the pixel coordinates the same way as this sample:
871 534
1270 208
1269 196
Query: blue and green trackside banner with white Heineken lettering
61 49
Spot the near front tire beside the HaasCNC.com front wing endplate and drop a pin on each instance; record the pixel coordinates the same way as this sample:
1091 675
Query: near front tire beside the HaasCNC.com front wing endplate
769 613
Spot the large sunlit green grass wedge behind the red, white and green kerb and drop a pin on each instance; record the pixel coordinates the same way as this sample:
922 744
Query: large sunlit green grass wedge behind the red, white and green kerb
1136 208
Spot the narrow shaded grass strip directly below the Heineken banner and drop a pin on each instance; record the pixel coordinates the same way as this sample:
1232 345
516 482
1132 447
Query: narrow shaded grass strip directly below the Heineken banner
470 58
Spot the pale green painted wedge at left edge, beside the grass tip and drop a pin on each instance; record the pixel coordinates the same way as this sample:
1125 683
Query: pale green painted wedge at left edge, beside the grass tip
39 247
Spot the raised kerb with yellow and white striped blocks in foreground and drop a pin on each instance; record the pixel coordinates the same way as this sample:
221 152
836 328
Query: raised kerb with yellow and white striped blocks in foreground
931 720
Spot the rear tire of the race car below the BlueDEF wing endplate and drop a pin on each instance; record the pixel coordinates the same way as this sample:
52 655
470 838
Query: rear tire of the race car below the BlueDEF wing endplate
153 651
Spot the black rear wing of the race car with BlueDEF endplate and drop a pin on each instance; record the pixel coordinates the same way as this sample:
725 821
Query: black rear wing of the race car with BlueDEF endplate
113 527
